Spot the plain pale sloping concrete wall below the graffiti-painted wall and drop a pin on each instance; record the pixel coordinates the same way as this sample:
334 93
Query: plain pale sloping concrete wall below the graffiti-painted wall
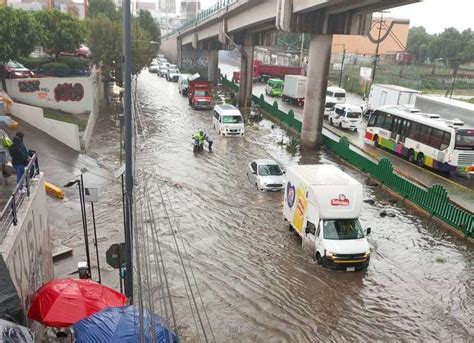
66 133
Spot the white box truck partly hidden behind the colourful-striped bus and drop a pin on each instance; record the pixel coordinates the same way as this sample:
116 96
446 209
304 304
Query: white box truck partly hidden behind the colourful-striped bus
381 95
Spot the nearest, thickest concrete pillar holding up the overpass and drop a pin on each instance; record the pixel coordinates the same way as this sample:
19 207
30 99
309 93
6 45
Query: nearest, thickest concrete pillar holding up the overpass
315 98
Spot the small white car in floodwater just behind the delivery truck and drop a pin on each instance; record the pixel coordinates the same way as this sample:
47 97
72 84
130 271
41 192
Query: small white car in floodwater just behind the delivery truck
266 175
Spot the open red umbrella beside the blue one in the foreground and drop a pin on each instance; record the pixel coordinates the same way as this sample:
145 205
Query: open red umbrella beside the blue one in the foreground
63 302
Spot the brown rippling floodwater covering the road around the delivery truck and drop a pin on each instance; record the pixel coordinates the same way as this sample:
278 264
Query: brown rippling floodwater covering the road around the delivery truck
257 283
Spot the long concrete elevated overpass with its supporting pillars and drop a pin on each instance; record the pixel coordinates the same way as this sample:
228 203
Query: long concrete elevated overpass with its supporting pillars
248 23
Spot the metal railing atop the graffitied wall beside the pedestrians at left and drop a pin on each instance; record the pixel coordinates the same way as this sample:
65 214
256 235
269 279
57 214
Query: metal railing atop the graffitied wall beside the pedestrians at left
20 192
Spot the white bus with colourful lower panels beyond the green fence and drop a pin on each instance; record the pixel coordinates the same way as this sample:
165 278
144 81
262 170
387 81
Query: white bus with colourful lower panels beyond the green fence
424 139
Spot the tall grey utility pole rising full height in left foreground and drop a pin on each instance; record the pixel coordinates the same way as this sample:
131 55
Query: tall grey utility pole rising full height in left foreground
127 111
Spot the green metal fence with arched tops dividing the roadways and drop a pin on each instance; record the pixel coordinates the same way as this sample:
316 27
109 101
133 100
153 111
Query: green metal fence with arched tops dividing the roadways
434 200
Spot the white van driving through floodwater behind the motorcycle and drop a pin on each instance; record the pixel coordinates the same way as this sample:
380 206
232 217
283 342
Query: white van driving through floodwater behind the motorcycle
228 120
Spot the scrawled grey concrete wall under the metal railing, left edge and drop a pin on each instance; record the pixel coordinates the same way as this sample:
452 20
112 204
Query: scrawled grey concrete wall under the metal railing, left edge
26 249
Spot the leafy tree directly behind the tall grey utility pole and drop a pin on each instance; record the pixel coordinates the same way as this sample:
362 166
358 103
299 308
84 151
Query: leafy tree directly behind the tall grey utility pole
105 43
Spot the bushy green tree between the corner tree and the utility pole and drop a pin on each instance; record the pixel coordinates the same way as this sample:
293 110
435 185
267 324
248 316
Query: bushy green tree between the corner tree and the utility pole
62 32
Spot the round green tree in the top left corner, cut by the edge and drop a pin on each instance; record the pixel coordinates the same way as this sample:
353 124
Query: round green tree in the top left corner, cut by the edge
19 35
